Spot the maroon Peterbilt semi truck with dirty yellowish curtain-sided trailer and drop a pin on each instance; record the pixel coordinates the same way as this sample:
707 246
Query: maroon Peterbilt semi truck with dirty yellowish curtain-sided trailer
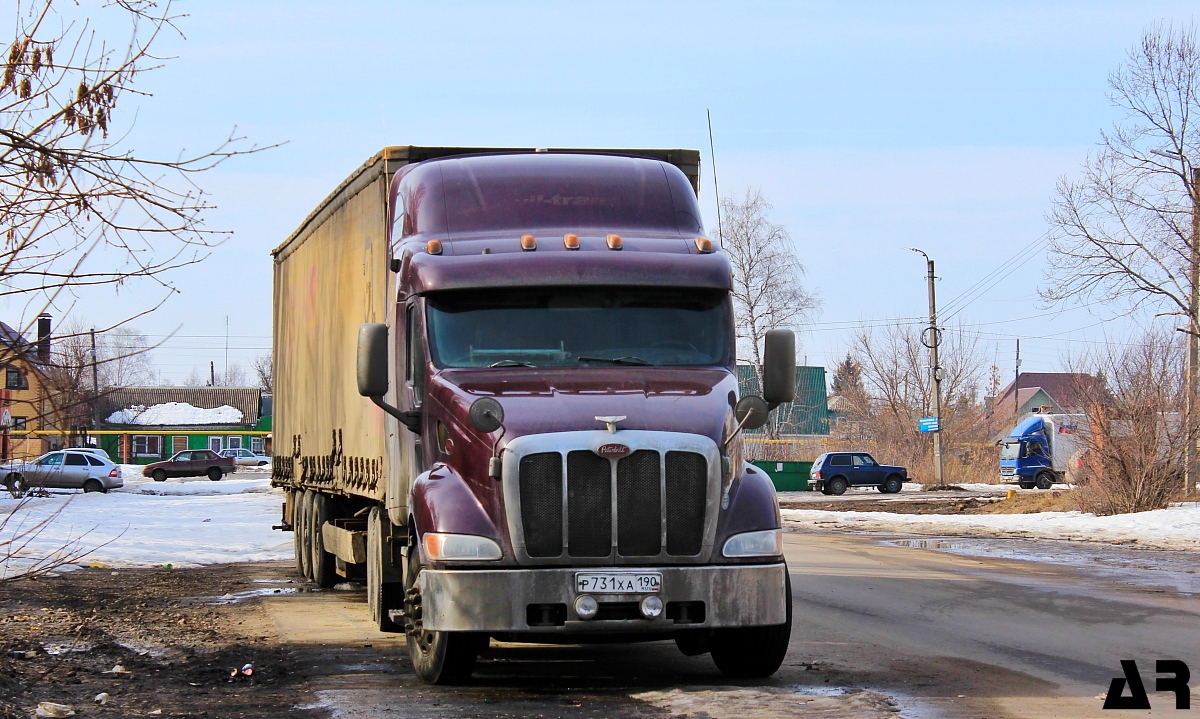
542 438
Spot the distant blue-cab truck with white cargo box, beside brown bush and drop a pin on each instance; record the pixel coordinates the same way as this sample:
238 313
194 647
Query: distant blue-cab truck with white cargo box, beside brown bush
1040 450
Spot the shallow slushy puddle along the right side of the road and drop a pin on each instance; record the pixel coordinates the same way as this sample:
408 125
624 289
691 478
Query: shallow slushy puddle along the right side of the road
1126 565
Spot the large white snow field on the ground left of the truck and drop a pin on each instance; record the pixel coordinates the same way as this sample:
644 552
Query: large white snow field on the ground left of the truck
147 524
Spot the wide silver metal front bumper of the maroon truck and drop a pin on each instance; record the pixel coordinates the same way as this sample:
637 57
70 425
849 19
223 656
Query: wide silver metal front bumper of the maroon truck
500 600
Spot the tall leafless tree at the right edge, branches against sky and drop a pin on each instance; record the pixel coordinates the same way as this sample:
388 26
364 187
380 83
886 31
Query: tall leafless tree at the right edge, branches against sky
1127 232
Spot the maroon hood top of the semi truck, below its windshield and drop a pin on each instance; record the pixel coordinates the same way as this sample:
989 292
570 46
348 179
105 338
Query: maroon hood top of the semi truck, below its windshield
550 400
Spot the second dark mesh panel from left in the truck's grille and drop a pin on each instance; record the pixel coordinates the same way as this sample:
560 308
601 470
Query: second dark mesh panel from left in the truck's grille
589 506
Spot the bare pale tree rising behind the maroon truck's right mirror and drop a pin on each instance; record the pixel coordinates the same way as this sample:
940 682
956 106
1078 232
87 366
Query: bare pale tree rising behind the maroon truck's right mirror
767 291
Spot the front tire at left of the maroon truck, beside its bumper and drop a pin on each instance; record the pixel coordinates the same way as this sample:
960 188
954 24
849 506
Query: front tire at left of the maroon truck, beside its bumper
437 657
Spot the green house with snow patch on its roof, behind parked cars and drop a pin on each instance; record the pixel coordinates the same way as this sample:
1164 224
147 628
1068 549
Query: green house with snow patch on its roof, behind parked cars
147 424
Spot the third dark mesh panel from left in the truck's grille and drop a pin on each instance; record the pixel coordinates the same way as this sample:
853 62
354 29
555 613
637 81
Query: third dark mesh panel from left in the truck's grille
640 505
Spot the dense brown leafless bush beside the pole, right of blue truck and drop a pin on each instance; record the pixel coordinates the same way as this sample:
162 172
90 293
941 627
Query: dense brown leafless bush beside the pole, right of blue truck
1136 441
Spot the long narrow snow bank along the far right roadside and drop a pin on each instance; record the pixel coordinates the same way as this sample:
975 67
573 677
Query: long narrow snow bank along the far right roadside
1178 528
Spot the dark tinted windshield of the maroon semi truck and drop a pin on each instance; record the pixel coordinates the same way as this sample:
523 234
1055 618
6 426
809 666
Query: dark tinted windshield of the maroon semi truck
580 328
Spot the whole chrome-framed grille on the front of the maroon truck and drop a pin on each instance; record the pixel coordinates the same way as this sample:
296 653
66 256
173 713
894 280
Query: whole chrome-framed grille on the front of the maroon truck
569 506
